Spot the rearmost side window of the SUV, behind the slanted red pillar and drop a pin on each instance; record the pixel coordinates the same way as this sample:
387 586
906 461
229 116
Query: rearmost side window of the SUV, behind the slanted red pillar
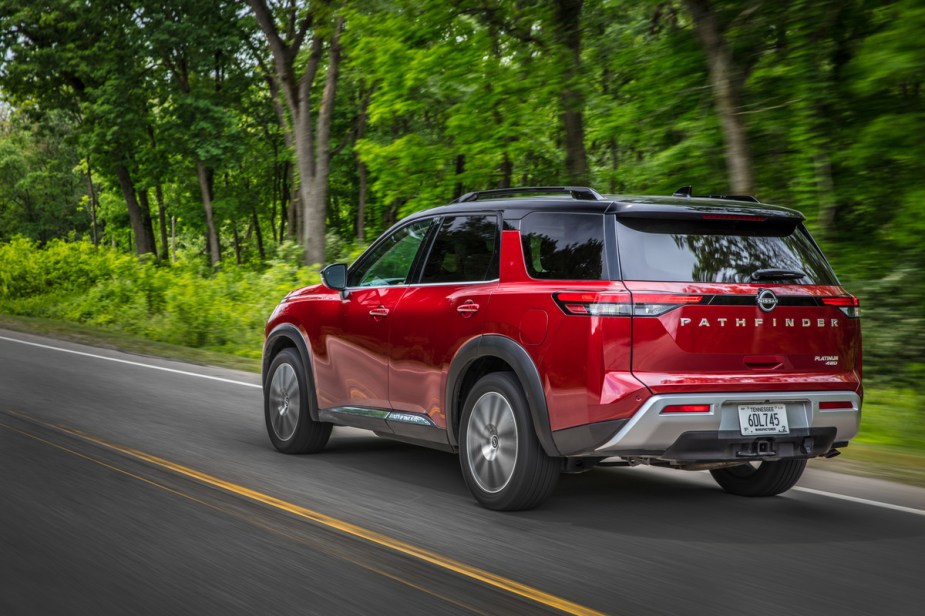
562 246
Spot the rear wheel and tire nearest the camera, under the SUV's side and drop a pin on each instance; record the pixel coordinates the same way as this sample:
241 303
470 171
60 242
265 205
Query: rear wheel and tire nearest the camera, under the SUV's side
502 461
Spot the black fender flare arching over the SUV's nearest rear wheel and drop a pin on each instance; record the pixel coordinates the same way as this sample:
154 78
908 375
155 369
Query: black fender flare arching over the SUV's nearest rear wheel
506 349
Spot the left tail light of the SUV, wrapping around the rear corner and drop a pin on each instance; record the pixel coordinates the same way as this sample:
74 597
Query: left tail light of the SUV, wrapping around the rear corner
622 303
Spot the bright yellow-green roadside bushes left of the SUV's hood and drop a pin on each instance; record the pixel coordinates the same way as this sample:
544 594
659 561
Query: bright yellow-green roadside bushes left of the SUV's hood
184 304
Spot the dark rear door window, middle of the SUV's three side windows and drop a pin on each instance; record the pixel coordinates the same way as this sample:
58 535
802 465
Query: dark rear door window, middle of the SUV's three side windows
465 250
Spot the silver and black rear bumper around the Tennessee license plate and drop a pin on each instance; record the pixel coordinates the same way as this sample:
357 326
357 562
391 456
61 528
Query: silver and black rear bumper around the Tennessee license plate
716 435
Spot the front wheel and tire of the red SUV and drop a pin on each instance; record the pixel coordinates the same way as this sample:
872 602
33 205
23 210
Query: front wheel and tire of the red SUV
287 402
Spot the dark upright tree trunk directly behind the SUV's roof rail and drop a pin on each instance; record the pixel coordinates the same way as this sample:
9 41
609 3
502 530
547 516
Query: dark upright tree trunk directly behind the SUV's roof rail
567 26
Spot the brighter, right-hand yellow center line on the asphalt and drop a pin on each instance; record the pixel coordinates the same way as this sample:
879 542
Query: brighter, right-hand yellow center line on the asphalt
486 577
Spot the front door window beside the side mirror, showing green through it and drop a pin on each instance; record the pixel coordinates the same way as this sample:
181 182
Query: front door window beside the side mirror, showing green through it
390 262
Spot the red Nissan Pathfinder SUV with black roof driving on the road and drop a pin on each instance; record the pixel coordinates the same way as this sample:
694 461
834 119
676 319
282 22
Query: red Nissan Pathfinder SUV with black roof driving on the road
544 330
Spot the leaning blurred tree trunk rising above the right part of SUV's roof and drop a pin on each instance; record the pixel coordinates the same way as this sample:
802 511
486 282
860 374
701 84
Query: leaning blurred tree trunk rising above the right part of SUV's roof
724 80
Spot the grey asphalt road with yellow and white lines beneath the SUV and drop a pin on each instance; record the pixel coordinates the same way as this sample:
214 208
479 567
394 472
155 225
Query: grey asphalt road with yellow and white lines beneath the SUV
145 486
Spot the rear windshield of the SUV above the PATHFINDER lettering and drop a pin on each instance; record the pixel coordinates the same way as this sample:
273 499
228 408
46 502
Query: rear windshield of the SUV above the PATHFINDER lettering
719 251
